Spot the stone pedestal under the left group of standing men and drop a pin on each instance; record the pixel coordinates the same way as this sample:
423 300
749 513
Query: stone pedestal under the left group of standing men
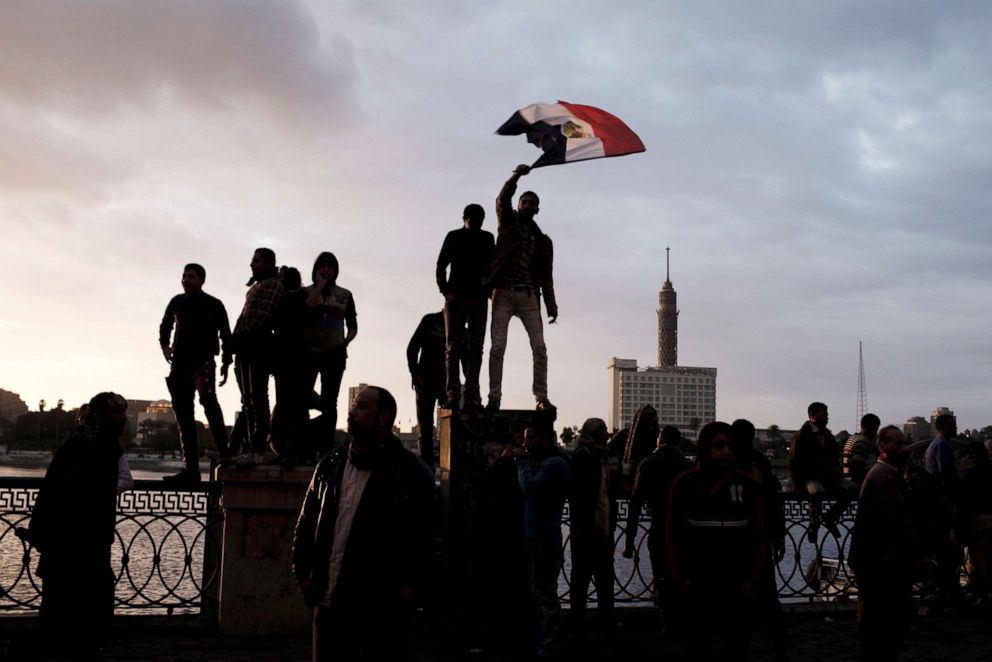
258 595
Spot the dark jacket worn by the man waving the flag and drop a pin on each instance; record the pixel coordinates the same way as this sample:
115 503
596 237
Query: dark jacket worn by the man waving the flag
509 237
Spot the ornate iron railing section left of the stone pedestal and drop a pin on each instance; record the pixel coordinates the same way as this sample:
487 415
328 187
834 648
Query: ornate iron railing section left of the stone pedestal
165 556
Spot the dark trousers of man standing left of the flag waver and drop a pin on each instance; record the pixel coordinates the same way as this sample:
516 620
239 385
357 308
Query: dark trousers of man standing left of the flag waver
459 313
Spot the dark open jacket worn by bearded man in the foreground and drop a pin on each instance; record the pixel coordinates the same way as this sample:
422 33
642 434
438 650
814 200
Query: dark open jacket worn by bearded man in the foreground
390 538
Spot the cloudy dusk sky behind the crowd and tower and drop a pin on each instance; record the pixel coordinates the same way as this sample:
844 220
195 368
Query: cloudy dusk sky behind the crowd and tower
820 170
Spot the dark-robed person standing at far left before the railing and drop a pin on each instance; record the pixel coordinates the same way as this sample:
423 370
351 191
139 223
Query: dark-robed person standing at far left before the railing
73 525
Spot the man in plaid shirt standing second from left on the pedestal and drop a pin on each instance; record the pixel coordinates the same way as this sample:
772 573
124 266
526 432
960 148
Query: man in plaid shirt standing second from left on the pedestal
255 350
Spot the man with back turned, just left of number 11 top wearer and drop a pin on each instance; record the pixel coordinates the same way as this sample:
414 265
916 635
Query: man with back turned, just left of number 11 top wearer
654 478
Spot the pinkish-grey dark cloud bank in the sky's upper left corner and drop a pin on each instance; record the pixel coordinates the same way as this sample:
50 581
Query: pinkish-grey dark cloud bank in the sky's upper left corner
109 55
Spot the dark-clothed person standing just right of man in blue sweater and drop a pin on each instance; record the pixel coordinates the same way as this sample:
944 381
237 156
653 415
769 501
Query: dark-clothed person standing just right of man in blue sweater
591 519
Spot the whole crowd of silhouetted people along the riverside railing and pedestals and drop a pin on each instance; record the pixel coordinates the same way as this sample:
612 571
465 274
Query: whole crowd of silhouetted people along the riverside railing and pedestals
364 536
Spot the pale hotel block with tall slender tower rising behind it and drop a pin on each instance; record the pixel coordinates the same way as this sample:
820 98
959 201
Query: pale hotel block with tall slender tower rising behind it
684 396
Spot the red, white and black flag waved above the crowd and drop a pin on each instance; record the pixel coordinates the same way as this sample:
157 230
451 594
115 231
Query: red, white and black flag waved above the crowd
569 132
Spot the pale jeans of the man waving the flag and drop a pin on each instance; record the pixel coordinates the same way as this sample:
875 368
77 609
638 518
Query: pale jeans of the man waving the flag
526 306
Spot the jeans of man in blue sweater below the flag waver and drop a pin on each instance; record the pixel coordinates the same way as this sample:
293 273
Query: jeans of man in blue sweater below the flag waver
543 566
